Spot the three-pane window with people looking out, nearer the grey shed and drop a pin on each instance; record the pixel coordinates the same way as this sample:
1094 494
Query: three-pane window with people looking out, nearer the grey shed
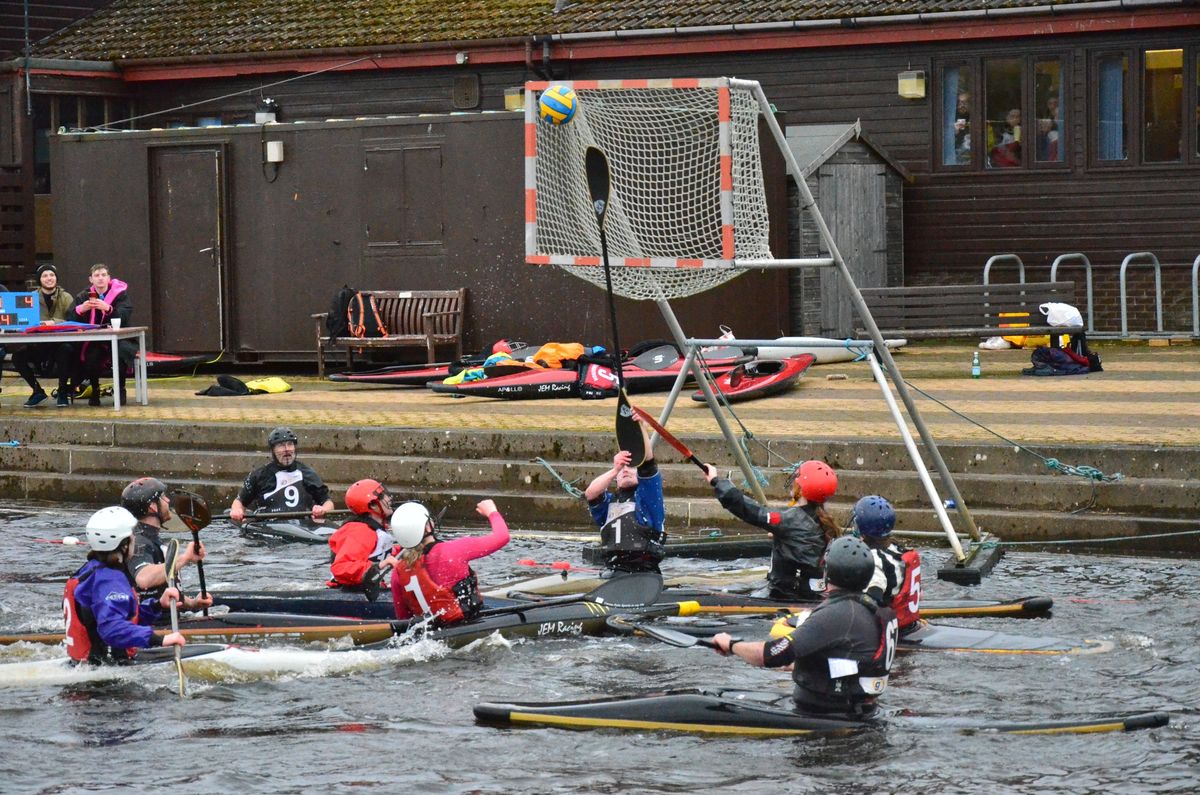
983 105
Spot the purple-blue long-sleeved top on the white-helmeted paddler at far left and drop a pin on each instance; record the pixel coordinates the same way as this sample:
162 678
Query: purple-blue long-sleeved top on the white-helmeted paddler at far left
109 599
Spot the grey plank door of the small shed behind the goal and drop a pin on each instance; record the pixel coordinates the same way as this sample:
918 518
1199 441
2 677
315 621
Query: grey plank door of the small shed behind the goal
851 199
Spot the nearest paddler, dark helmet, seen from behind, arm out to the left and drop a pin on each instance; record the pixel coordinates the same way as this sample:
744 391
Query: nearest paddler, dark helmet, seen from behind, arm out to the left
843 651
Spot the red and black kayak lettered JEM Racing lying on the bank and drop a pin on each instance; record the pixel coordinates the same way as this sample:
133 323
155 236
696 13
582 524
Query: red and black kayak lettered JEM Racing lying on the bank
655 370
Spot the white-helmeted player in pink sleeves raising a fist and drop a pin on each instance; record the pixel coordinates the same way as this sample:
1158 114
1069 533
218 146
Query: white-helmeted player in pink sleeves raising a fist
434 577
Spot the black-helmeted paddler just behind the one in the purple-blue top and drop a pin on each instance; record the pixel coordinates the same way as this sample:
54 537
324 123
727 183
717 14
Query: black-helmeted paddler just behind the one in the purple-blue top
149 501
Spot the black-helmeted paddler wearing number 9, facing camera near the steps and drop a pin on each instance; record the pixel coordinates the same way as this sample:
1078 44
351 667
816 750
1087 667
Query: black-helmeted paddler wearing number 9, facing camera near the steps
285 485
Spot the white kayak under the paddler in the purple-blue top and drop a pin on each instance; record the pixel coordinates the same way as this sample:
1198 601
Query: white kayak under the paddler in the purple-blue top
208 662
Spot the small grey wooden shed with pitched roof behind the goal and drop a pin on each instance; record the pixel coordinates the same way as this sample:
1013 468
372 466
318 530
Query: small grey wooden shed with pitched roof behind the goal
859 188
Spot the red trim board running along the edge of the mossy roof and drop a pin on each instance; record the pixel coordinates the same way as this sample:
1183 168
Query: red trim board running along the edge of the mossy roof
621 46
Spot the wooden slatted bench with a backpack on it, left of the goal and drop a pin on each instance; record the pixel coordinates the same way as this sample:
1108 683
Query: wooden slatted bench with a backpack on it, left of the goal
413 319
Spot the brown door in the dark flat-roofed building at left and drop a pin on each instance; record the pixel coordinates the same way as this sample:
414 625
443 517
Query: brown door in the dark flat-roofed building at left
187 271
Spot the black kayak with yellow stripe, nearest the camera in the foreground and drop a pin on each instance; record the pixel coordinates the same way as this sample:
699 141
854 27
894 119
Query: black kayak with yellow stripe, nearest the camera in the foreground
748 713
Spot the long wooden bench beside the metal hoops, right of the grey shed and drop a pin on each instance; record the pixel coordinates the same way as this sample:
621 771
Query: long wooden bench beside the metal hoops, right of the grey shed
967 310
